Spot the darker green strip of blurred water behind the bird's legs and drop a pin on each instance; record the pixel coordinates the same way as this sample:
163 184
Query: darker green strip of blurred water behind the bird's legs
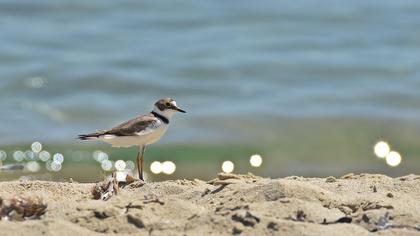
192 160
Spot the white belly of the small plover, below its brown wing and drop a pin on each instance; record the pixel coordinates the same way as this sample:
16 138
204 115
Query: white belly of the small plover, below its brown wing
142 139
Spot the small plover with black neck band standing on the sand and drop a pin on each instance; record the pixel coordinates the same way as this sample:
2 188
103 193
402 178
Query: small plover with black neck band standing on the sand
140 131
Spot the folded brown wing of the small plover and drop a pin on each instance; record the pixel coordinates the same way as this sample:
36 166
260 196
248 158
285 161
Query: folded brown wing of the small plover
128 128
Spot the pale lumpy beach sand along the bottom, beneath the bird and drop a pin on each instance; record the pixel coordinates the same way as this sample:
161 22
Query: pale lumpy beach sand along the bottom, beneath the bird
230 204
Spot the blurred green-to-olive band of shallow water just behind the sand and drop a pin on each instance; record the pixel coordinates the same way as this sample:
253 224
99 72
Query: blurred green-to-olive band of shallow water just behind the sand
316 146
